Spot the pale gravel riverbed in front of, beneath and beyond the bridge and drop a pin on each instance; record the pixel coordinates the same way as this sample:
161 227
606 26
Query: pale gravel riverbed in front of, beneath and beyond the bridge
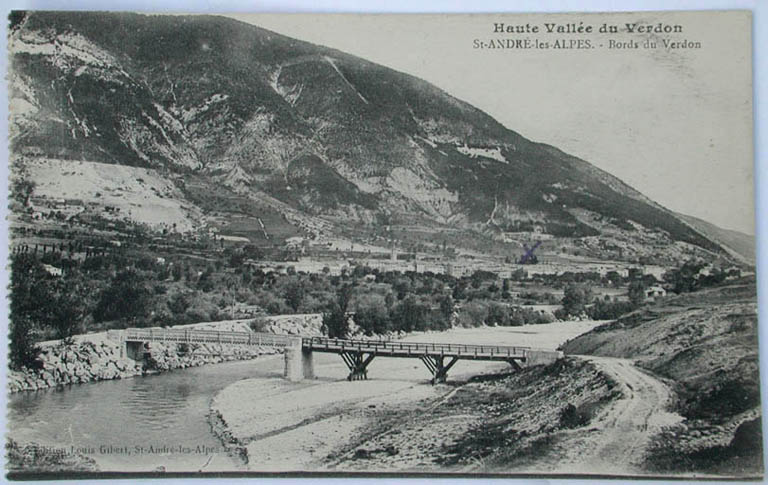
323 424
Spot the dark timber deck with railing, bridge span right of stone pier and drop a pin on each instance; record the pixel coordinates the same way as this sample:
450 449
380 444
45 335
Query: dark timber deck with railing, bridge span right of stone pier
414 349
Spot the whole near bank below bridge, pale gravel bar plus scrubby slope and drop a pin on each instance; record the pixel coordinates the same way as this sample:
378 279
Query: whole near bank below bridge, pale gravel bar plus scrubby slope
498 421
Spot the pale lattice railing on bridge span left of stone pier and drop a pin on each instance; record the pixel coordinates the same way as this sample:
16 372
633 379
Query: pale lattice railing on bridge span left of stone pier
192 336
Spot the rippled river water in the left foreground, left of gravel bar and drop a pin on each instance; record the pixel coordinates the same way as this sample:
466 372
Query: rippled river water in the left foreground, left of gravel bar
163 411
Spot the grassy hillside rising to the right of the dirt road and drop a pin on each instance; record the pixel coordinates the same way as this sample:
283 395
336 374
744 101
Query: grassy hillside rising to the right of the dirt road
705 345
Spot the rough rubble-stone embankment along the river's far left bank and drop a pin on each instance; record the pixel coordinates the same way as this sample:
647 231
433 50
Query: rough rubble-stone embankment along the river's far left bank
93 357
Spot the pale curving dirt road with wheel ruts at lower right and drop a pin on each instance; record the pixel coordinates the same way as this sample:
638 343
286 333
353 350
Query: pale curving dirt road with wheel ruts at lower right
617 438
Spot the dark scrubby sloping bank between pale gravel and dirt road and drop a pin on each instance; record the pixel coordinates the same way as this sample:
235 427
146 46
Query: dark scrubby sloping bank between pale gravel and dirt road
506 423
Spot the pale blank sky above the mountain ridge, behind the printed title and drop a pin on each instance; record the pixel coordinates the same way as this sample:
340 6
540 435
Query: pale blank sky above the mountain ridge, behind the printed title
674 124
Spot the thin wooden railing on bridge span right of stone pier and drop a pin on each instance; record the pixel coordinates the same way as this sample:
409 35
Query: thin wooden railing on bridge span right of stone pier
413 347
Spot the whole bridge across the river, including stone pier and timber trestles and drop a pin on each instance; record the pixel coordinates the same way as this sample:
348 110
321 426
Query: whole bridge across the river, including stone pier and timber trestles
356 354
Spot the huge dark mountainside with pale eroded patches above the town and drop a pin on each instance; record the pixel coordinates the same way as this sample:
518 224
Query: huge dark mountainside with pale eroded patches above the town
250 123
